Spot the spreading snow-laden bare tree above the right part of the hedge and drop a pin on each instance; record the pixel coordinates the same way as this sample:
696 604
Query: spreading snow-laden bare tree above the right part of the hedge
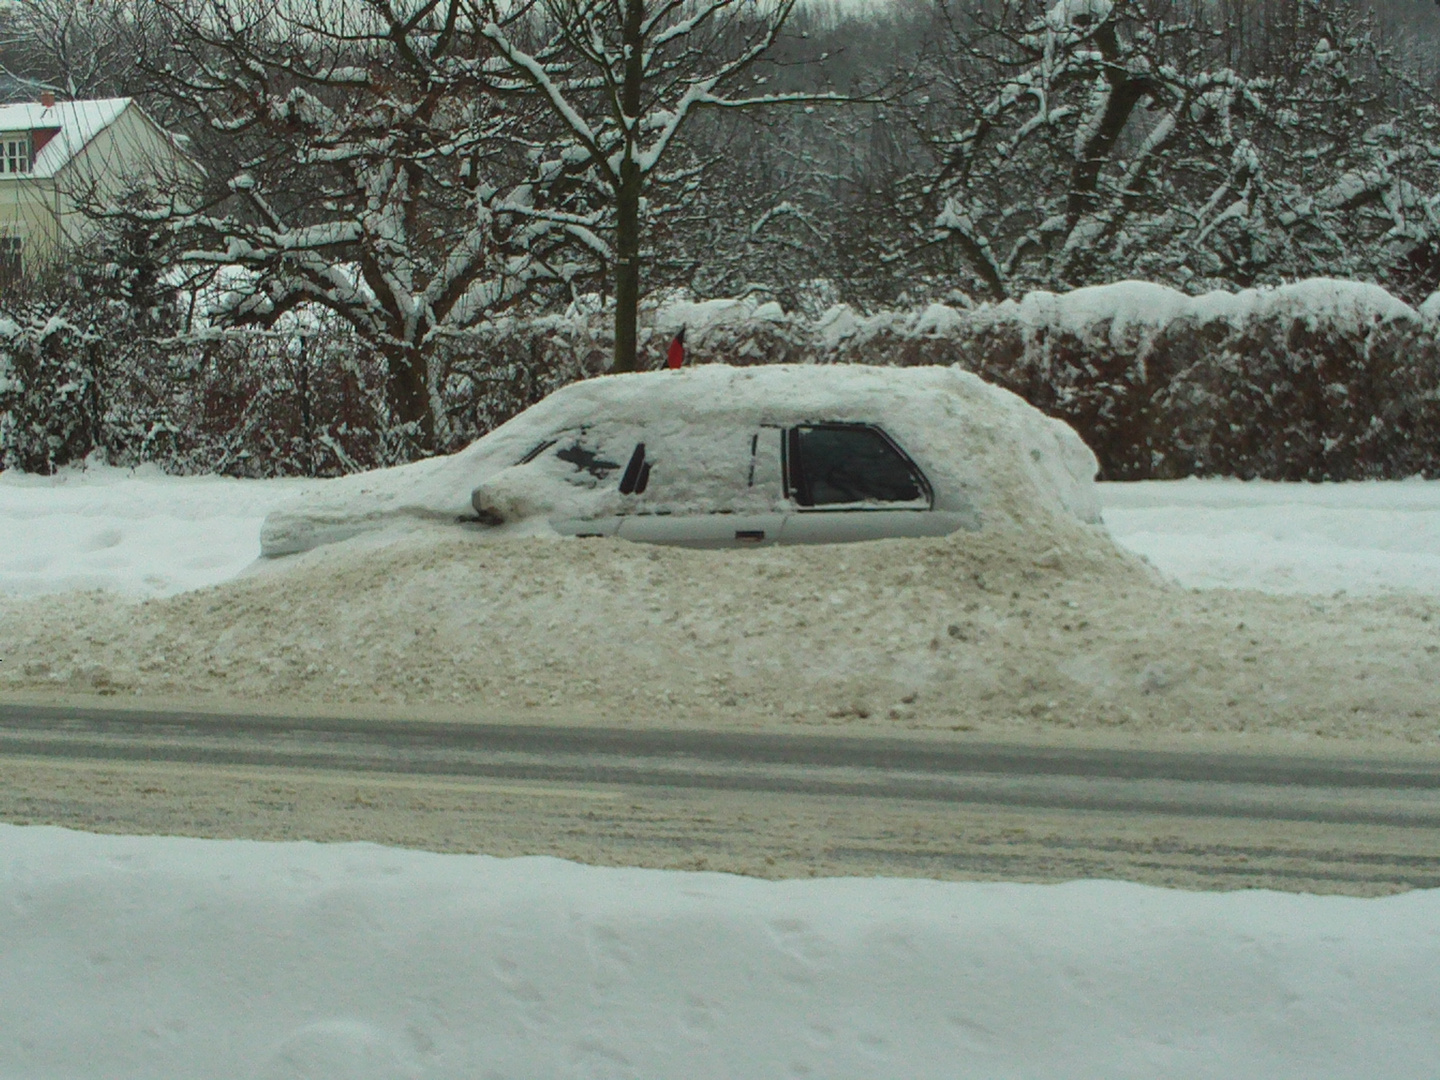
1074 142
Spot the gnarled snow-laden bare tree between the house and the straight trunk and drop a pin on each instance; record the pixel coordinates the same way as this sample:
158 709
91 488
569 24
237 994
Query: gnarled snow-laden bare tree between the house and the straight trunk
361 166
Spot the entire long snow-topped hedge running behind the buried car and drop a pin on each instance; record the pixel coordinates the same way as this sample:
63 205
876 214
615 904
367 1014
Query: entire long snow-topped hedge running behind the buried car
1313 381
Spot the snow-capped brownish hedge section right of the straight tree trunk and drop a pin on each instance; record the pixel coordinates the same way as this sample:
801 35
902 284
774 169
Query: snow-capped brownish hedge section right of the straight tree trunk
1313 381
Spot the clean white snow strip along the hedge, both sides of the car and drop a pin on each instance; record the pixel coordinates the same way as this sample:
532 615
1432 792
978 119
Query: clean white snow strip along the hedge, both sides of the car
148 535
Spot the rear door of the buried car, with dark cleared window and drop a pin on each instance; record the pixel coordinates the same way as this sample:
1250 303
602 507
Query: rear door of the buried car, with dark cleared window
852 482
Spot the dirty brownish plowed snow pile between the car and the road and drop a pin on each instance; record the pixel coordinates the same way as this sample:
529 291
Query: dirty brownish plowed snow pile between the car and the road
1046 627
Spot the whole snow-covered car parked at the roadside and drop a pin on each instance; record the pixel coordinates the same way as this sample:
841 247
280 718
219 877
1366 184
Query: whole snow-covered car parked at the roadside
726 457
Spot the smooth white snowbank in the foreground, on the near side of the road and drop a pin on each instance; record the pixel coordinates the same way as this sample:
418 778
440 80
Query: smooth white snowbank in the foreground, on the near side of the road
155 957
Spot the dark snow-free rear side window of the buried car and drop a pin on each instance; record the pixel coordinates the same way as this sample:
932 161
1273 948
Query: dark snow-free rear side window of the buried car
846 464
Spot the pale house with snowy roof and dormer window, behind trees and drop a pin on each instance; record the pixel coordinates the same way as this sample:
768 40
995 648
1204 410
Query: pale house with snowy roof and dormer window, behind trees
55 158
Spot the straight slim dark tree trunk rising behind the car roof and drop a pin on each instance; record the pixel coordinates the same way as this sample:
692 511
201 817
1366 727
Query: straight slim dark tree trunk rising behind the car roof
627 199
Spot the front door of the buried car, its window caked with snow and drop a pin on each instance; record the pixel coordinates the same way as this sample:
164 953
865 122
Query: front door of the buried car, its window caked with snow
705 489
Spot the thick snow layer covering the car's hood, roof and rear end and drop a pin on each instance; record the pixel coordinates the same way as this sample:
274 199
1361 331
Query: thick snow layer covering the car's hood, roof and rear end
1012 463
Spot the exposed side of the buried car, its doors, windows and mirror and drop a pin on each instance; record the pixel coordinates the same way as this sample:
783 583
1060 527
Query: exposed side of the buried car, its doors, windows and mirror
725 482
